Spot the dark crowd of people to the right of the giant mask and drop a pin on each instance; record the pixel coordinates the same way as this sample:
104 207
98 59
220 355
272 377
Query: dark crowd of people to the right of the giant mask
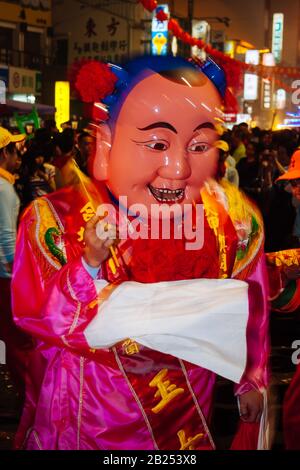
254 160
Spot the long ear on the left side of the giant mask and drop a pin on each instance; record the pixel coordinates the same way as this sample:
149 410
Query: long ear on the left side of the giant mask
103 146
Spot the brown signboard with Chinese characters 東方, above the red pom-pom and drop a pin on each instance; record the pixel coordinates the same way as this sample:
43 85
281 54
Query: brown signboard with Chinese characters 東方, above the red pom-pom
99 37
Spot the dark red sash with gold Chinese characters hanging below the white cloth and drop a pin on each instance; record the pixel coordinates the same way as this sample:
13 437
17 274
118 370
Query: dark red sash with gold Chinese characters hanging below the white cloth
161 387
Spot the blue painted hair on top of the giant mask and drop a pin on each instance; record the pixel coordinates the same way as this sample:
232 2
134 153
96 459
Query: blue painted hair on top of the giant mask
139 68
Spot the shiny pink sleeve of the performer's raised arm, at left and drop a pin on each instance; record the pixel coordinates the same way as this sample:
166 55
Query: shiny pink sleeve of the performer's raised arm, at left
49 301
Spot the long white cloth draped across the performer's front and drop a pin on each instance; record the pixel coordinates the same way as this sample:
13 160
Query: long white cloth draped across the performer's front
202 321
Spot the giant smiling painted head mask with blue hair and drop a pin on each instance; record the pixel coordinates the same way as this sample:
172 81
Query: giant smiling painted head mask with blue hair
158 146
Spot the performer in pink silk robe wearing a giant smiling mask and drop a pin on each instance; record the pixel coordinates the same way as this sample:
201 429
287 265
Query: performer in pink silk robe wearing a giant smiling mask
122 390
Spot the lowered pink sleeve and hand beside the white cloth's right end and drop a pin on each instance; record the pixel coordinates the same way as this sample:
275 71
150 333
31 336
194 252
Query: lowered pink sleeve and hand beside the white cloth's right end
256 373
